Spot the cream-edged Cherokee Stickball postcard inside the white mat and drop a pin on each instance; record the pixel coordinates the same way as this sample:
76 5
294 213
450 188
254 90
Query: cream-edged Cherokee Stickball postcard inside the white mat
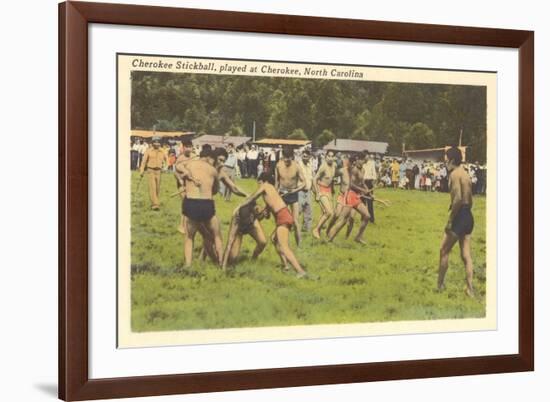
268 200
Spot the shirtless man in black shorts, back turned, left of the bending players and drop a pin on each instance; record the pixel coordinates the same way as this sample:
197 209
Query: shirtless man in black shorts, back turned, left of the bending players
198 205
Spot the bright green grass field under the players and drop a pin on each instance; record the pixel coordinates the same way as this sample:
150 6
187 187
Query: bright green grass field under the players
392 278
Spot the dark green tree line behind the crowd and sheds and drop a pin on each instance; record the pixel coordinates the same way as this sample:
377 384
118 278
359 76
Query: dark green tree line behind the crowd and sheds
419 115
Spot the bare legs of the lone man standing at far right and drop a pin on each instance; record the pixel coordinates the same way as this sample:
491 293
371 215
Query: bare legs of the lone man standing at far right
449 240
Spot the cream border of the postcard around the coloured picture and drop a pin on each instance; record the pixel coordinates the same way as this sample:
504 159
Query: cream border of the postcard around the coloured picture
177 336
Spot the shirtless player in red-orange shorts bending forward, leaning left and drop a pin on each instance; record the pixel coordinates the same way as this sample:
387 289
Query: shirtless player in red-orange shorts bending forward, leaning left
283 220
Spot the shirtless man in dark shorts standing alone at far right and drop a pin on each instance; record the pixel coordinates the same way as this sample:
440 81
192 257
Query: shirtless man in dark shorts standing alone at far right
461 221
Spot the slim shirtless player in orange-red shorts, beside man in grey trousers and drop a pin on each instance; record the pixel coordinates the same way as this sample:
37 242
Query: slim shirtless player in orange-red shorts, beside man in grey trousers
322 187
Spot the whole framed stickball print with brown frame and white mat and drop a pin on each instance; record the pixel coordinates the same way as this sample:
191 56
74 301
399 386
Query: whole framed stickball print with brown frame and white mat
256 201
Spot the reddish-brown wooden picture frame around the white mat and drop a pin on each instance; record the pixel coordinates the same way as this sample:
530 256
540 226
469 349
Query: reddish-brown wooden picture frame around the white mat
74 381
